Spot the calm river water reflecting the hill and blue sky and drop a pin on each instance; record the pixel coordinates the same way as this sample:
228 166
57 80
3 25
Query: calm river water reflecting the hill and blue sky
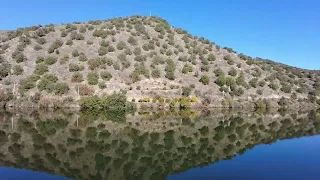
210 145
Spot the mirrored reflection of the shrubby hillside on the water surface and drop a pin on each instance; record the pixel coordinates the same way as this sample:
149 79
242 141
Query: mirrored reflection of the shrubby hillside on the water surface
145 146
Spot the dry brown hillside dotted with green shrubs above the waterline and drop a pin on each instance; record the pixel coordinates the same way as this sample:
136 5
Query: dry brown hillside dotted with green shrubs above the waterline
145 57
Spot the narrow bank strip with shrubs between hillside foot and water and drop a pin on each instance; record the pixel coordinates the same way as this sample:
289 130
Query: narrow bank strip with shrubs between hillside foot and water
161 104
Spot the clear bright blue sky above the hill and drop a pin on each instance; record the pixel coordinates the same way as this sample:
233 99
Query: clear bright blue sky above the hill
287 31
